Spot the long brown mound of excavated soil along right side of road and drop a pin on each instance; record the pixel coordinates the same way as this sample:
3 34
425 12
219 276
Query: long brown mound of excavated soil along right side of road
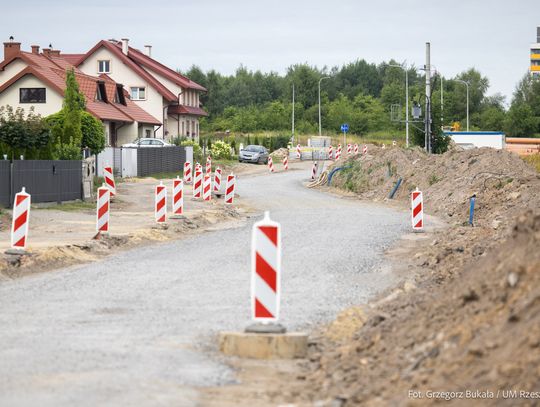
467 320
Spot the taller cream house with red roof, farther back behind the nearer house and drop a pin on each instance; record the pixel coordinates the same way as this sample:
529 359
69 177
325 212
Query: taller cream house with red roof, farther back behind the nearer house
161 91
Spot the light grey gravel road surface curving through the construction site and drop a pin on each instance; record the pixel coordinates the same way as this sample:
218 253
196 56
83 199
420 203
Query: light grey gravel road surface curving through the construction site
135 329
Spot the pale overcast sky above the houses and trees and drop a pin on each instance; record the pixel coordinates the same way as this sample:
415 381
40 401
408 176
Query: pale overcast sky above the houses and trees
492 36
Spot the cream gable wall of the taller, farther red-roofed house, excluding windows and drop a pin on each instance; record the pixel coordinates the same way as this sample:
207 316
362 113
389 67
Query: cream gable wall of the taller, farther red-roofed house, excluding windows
124 75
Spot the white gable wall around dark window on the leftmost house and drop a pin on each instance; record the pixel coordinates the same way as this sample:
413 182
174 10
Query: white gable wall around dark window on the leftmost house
10 96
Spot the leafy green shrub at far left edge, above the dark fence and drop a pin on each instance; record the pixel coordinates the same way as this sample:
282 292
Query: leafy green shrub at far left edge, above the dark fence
28 135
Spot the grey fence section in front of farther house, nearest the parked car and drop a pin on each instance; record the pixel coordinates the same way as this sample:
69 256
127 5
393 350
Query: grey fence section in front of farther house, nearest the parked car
163 159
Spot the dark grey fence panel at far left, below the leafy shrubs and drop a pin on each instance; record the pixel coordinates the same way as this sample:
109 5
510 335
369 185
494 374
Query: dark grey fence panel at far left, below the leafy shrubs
48 180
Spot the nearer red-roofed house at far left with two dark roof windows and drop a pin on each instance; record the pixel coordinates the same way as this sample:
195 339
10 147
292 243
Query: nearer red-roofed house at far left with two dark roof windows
37 79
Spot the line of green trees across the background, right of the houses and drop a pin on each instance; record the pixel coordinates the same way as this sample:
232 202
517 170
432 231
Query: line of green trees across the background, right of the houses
361 94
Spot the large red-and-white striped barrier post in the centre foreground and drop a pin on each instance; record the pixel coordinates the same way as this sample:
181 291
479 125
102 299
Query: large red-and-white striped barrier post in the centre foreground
265 270
